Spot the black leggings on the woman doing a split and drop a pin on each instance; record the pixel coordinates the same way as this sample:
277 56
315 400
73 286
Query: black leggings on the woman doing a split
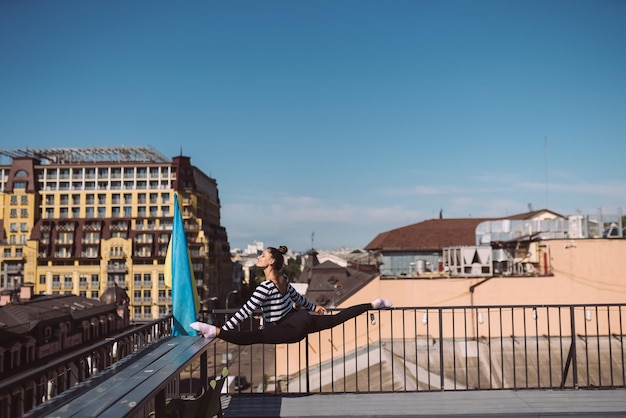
292 328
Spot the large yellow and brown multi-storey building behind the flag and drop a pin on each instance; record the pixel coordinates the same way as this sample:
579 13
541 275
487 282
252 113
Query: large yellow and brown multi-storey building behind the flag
78 221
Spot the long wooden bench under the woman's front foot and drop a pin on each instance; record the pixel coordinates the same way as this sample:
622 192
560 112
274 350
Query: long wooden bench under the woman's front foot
129 392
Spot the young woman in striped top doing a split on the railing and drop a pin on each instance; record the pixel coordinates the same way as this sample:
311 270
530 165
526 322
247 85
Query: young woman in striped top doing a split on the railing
283 322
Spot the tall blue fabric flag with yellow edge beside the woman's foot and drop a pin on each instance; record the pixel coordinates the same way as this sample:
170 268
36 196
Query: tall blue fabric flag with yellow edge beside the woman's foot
179 276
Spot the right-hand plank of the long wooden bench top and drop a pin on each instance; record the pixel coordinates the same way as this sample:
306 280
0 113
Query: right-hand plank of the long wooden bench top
158 380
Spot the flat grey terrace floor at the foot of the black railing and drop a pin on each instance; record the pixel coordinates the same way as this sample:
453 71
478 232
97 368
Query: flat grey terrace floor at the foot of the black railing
495 403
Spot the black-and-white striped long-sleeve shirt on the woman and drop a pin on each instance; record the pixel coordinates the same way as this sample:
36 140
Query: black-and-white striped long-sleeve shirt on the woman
272 303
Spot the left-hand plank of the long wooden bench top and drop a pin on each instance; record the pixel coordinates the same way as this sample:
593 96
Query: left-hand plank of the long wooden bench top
135 374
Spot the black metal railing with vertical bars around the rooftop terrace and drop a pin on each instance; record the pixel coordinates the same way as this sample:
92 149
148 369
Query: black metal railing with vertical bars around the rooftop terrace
406 349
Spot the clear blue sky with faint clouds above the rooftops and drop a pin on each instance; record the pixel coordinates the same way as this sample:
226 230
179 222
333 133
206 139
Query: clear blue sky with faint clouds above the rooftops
339 118
